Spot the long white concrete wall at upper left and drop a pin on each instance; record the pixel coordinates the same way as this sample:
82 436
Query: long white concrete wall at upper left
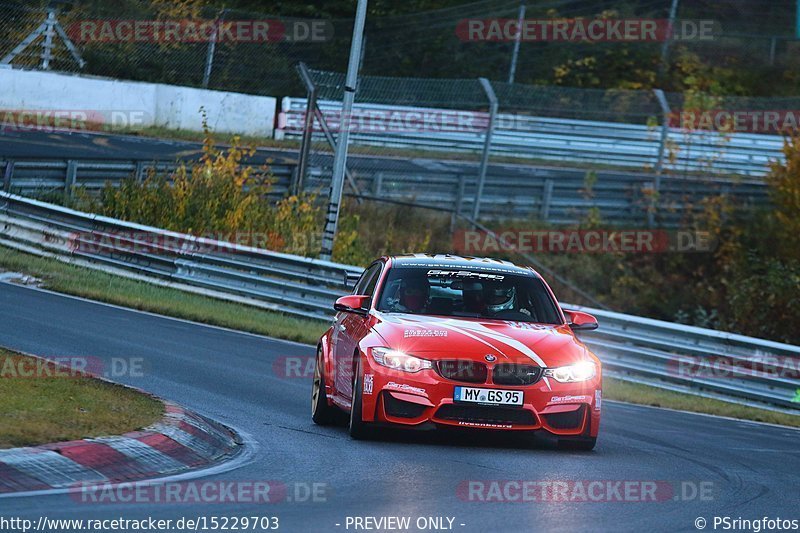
143 104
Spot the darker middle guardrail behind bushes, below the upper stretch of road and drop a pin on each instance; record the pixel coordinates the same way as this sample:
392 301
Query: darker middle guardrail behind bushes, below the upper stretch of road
553 195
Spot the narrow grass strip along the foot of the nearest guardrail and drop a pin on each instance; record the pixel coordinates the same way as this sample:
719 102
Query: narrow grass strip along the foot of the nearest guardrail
144 296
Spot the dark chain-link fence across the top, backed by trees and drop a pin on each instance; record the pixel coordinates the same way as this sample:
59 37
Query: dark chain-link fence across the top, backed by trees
757 36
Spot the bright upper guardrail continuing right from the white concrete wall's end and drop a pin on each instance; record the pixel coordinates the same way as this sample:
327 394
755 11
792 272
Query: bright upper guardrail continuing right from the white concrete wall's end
555 139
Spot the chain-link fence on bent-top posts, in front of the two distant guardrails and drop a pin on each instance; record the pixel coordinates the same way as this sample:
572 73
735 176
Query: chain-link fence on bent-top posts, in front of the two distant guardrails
555 155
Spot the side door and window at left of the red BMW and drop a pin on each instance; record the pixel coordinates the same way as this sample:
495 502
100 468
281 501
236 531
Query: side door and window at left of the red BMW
349 328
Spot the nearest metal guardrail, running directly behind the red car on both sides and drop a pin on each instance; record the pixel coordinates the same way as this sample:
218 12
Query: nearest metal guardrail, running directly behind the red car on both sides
632 348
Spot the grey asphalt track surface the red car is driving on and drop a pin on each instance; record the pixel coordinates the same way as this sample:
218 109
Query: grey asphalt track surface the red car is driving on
229 376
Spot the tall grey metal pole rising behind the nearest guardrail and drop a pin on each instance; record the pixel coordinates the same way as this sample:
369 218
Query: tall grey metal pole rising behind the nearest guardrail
340 157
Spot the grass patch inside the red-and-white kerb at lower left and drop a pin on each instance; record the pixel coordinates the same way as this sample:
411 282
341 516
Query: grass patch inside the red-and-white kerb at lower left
52 406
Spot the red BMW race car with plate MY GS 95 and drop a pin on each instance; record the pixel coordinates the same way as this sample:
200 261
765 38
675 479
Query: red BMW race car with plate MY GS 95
429 341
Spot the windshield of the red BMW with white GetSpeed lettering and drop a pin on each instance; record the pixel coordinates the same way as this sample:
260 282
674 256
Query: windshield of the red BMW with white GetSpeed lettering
472 293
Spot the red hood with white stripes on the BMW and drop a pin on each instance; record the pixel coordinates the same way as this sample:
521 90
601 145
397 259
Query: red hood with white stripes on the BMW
434 337
